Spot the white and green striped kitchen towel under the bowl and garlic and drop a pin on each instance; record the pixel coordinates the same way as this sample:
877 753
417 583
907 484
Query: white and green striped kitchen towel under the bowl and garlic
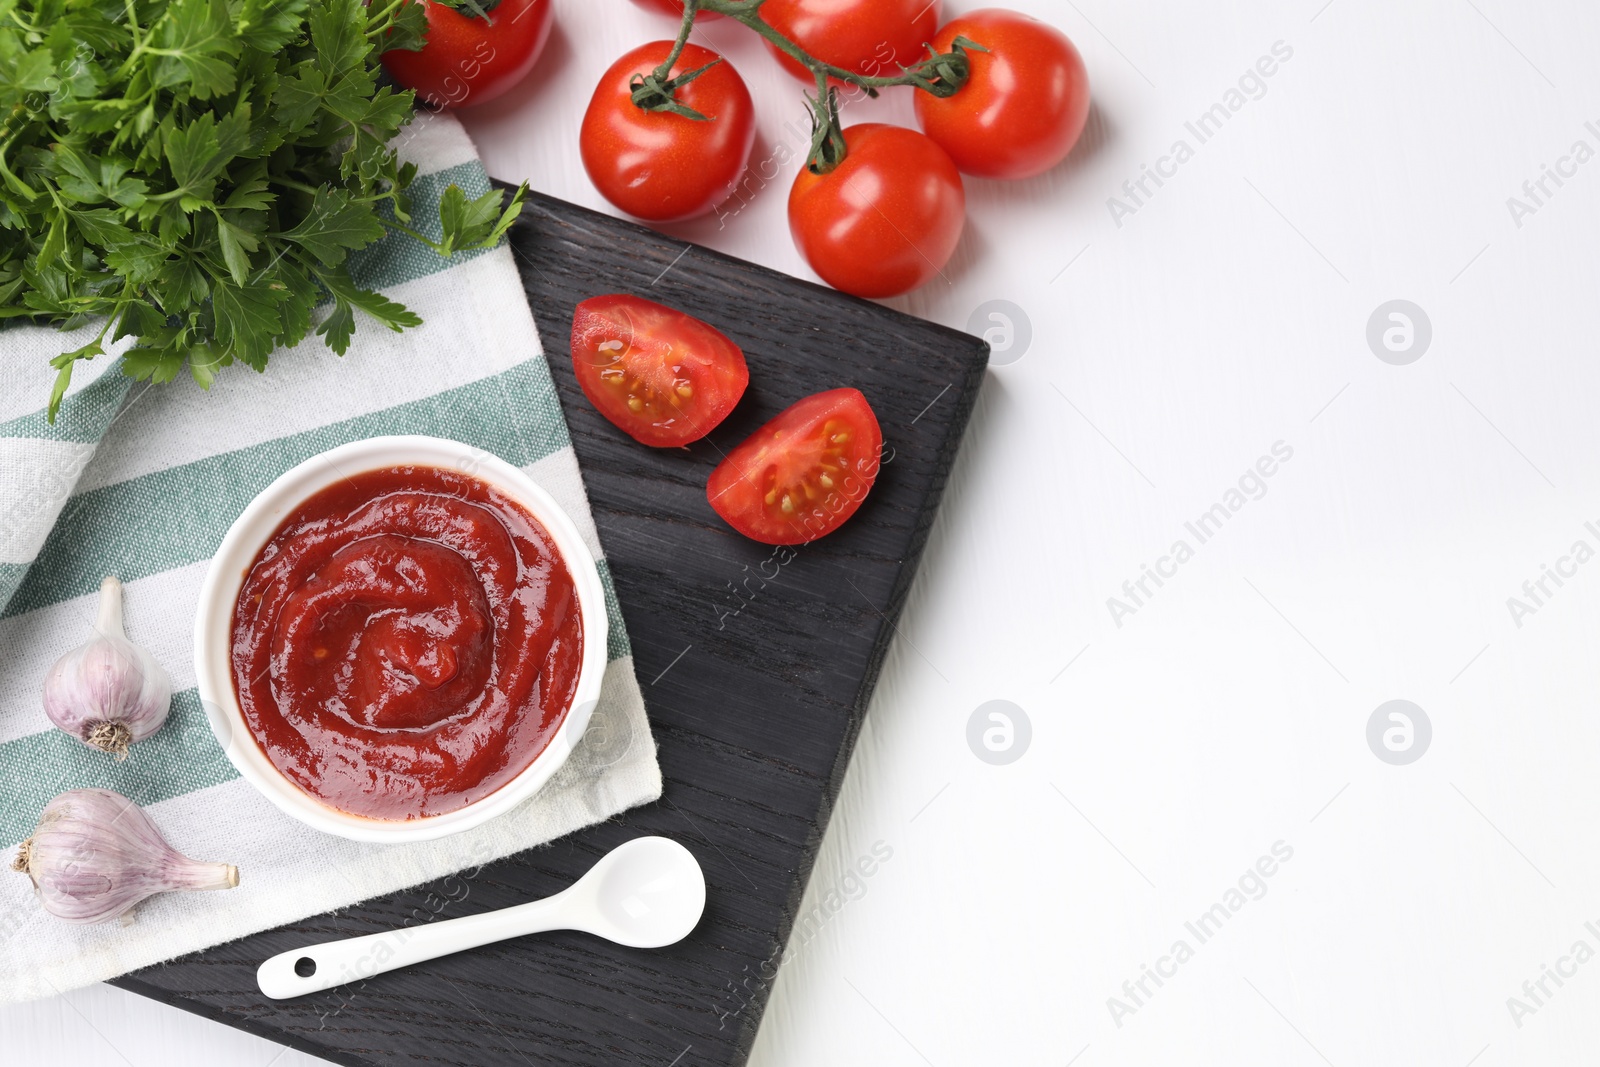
142 482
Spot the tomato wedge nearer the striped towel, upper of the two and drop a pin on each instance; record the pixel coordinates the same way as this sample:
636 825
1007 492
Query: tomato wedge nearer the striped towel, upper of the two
658 375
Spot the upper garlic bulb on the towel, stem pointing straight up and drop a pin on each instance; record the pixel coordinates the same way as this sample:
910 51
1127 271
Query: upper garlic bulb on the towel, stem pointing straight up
108 693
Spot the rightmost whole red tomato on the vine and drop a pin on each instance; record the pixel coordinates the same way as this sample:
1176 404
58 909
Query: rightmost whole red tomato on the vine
1025 106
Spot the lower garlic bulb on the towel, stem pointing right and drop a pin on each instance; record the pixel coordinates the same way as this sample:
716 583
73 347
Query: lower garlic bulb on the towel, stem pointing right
95 855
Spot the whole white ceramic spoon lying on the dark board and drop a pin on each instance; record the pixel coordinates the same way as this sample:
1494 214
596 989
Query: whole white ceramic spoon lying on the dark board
646 895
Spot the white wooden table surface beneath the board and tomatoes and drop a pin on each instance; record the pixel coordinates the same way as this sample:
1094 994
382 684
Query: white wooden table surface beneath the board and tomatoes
1166 340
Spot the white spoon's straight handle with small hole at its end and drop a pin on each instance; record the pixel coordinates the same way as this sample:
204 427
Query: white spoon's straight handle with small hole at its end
330 964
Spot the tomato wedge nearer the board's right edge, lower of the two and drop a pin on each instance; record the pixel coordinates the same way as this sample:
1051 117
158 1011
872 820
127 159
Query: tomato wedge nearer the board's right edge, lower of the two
804 474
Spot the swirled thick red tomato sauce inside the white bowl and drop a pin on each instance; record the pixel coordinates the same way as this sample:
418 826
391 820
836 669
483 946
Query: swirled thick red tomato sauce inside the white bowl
407 642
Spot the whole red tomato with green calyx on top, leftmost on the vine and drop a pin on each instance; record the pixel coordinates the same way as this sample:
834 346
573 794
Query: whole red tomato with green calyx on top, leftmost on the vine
658 166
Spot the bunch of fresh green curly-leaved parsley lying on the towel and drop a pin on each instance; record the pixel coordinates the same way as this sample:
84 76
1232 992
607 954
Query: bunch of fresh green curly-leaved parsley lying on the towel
198 174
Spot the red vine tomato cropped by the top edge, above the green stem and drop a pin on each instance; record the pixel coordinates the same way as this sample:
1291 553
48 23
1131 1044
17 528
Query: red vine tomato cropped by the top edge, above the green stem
870 38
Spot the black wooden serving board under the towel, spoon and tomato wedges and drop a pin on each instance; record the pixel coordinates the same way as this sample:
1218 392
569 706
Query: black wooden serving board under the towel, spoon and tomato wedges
754 713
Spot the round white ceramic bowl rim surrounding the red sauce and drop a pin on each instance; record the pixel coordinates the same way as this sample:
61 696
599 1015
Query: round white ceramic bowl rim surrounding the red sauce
257 526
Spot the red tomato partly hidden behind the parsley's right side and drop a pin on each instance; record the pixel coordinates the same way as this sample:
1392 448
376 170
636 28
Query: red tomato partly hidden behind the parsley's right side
473 60
